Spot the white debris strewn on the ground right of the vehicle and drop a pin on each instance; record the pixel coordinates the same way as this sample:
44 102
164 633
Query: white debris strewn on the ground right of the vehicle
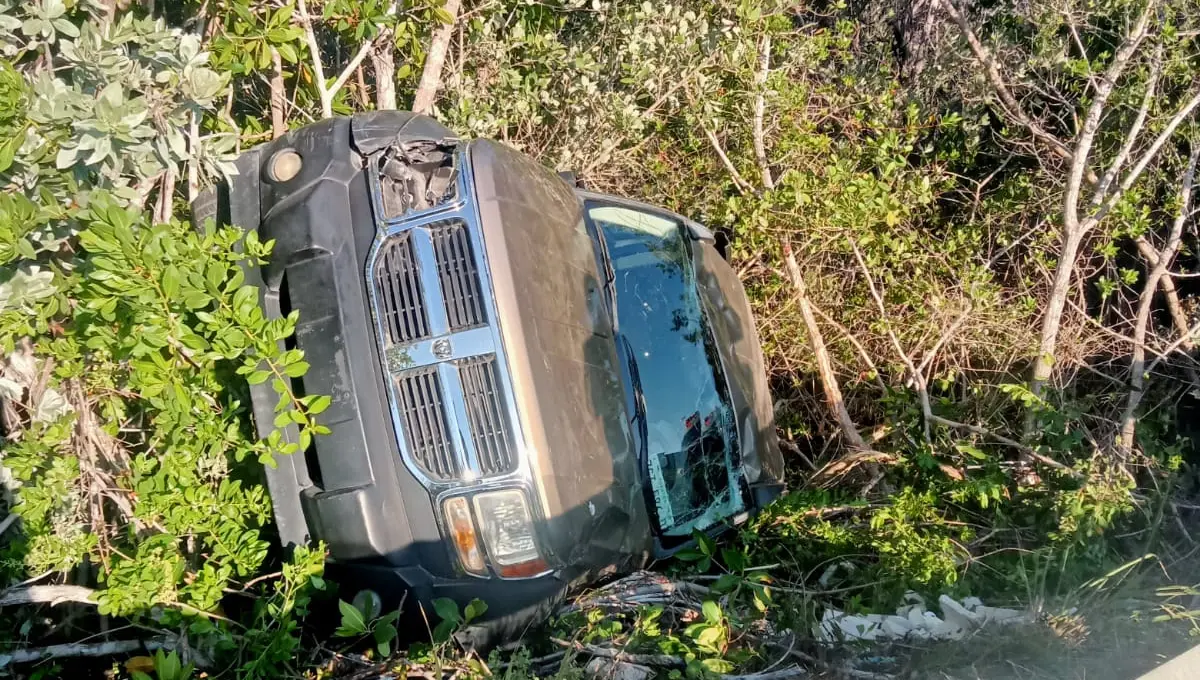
914 621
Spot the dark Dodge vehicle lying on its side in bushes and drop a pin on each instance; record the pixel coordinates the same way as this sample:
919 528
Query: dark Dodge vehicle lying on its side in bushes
533 387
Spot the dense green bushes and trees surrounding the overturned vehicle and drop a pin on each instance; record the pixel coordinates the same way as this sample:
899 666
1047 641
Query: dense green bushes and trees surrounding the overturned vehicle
968 228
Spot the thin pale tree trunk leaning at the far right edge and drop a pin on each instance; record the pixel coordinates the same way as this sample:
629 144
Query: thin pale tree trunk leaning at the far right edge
1138 363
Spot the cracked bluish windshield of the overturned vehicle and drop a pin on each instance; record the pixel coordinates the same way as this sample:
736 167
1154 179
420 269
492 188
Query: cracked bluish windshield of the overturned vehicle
693 441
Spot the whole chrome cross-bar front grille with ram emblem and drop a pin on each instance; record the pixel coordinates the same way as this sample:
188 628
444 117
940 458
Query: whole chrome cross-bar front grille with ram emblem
449 390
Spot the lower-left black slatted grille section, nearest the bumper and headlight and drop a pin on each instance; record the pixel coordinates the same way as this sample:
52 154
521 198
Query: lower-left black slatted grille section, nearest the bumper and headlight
425 424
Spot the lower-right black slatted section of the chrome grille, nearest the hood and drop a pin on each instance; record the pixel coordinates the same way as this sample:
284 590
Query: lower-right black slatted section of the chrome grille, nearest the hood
489 425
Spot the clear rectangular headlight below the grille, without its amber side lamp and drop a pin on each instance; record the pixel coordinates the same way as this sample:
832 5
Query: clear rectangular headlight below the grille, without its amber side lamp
507 528
